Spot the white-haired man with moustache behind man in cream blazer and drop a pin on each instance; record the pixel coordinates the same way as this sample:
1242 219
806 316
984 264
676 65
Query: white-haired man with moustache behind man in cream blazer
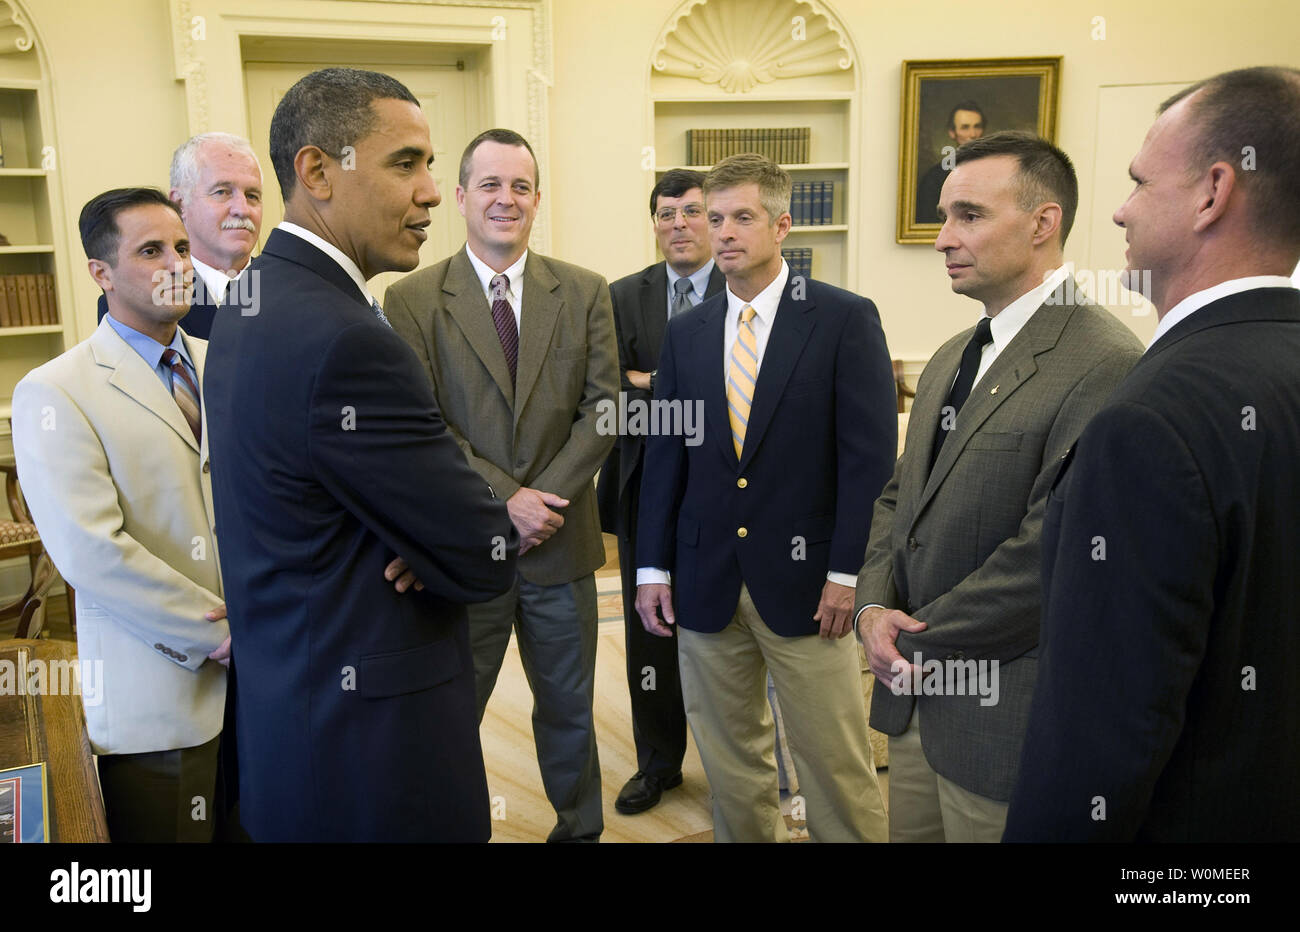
216 181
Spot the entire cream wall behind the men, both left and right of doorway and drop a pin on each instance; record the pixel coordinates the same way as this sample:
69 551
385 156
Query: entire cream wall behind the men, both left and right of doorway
120 111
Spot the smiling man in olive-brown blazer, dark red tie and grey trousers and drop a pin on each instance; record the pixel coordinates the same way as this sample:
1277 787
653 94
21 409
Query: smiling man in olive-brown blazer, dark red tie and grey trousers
525 365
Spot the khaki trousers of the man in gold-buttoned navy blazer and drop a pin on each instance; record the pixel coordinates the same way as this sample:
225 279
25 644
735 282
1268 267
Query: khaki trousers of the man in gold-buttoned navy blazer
820 690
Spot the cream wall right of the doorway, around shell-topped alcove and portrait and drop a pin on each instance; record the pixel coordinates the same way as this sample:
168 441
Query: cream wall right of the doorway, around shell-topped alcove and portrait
599 119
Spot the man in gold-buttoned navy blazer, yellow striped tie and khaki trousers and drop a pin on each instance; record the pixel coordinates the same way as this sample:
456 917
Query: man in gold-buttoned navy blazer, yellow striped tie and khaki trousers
760 517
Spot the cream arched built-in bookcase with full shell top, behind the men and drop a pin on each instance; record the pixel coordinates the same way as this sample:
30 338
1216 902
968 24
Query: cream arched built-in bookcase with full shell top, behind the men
766 66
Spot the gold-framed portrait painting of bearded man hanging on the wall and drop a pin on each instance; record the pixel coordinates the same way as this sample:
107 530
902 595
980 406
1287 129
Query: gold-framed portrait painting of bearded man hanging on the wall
948 103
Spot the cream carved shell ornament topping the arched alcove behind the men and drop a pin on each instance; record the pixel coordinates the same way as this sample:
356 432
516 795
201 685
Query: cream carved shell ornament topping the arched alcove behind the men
739 45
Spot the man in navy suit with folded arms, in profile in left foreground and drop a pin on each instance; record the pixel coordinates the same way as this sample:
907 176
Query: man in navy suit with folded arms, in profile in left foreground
356 703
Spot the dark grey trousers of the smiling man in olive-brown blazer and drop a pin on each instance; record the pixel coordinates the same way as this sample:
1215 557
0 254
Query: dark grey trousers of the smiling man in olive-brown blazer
556 627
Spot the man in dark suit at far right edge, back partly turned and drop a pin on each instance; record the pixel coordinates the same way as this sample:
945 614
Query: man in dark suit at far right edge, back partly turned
1169 703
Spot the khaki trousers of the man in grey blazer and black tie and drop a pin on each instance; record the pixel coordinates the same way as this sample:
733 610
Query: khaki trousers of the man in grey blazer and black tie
929 808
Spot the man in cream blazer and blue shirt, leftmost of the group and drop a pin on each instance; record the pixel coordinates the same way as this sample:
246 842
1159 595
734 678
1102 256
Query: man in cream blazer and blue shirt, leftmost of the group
110 445
